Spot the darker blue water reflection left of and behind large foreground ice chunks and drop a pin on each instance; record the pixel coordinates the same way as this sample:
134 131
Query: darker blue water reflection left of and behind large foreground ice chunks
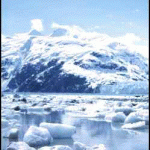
26 120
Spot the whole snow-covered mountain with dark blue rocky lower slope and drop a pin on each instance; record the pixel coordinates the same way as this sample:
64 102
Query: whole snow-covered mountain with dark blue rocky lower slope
70 61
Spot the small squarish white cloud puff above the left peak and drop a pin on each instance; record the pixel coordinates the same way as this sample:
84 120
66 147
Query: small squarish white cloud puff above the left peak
37 24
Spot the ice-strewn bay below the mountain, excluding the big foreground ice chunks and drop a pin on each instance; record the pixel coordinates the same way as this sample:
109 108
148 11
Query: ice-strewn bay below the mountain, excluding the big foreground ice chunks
86 112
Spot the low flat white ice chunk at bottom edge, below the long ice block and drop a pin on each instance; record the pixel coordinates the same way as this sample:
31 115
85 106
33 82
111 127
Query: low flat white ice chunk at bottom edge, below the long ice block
57 147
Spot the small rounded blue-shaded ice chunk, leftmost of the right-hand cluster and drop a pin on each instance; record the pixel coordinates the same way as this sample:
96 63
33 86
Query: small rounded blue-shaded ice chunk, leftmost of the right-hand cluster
119 117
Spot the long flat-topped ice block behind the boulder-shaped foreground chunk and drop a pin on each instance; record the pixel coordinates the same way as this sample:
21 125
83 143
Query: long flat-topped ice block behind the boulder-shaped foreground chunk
59 130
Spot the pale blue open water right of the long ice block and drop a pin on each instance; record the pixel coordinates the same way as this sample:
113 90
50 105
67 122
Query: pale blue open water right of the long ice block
100 132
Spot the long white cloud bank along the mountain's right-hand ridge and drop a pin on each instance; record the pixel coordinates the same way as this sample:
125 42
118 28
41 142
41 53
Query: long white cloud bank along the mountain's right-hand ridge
131 41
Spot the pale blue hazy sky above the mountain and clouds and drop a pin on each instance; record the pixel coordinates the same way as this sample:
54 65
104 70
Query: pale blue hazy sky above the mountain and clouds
113 17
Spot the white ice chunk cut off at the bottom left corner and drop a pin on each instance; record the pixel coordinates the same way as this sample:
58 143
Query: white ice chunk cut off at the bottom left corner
19 146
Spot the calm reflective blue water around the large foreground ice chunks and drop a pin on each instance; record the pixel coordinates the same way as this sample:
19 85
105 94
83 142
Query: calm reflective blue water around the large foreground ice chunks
89 132
